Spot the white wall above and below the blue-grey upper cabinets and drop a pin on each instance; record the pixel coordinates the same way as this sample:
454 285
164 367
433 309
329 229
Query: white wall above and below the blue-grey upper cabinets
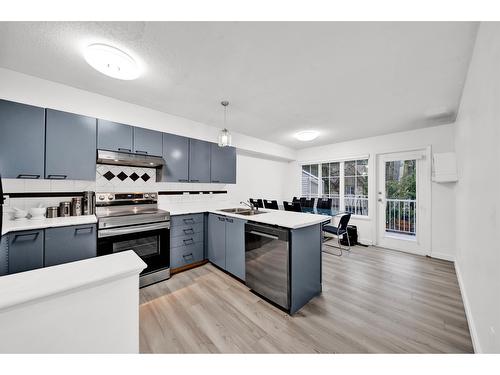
256 157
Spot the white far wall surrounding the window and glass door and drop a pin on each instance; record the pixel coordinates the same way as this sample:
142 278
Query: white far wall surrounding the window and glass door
440 138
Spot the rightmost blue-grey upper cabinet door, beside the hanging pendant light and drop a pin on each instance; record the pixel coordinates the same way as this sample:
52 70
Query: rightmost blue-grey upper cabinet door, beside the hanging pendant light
222 164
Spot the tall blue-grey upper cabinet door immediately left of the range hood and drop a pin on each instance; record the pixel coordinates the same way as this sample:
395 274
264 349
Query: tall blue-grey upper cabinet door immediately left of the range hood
70 146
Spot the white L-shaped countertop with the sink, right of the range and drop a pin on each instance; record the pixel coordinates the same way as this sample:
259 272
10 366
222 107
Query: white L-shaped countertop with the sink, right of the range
286 219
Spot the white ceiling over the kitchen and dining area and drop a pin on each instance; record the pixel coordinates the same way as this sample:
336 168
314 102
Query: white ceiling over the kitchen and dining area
345 79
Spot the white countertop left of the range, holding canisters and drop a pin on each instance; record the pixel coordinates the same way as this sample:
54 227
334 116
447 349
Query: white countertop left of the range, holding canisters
28 224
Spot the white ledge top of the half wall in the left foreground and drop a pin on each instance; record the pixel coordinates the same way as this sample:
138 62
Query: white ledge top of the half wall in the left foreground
25 287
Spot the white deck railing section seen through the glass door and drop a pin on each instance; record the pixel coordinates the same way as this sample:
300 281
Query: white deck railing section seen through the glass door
401 216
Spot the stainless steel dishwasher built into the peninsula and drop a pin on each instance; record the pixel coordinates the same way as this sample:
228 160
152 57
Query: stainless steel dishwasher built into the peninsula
267 258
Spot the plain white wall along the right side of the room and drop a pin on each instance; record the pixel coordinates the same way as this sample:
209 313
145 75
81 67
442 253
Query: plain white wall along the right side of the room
477 204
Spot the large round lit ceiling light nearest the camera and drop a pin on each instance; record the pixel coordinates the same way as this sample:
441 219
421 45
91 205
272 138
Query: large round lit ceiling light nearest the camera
112 61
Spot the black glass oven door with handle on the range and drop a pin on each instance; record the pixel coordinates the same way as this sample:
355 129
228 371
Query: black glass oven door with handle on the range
150 241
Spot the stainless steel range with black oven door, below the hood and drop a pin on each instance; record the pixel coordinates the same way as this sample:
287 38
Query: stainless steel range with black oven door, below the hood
132 221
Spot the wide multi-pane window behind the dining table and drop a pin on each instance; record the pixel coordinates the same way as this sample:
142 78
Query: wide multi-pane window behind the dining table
346 183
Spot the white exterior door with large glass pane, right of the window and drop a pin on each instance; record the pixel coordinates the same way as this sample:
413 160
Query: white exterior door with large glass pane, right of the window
403 202
